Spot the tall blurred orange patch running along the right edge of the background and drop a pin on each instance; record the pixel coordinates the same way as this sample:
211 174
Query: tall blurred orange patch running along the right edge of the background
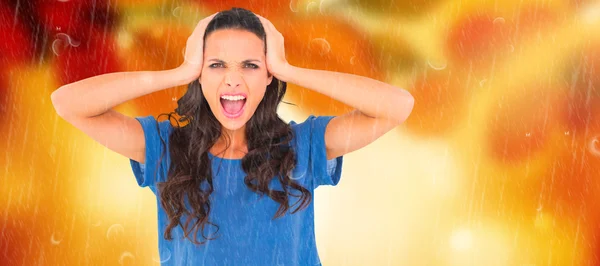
575 170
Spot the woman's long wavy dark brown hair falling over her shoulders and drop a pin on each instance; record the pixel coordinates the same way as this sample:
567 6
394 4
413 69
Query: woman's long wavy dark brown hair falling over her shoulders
269 152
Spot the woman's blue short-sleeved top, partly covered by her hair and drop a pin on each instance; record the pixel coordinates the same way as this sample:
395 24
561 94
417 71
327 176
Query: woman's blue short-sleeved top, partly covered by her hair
247 234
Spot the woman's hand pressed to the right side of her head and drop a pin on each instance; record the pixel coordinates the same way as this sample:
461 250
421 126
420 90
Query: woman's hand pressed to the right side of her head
276 62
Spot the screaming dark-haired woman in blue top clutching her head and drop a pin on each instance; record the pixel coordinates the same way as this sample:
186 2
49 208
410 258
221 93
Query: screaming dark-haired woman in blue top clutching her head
210 172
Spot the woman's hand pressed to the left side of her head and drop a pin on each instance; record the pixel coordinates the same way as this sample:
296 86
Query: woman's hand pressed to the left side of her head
194 50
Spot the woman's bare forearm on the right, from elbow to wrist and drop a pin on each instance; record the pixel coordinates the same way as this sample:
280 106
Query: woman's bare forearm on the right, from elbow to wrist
372 97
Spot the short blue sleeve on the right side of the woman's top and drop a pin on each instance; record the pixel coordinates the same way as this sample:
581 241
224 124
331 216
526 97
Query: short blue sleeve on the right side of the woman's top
311 152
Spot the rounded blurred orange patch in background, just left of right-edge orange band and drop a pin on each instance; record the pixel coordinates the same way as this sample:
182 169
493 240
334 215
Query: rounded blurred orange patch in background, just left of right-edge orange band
520 125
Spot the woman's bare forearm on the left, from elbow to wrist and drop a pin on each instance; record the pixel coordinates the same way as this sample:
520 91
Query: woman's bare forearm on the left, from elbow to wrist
96 95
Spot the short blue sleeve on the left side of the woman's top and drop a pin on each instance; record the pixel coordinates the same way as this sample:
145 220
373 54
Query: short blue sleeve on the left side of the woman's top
153 169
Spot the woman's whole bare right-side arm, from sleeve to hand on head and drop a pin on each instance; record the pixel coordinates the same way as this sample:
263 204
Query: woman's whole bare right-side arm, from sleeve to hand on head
379 107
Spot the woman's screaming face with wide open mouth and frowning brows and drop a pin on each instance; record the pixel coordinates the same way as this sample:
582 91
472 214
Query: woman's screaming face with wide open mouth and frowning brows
234 75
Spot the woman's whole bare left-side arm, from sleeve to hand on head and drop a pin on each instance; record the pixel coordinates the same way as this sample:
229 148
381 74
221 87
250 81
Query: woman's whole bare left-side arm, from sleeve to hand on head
87 104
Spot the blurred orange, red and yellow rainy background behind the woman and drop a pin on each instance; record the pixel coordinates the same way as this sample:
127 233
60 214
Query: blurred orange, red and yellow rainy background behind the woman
497 165
